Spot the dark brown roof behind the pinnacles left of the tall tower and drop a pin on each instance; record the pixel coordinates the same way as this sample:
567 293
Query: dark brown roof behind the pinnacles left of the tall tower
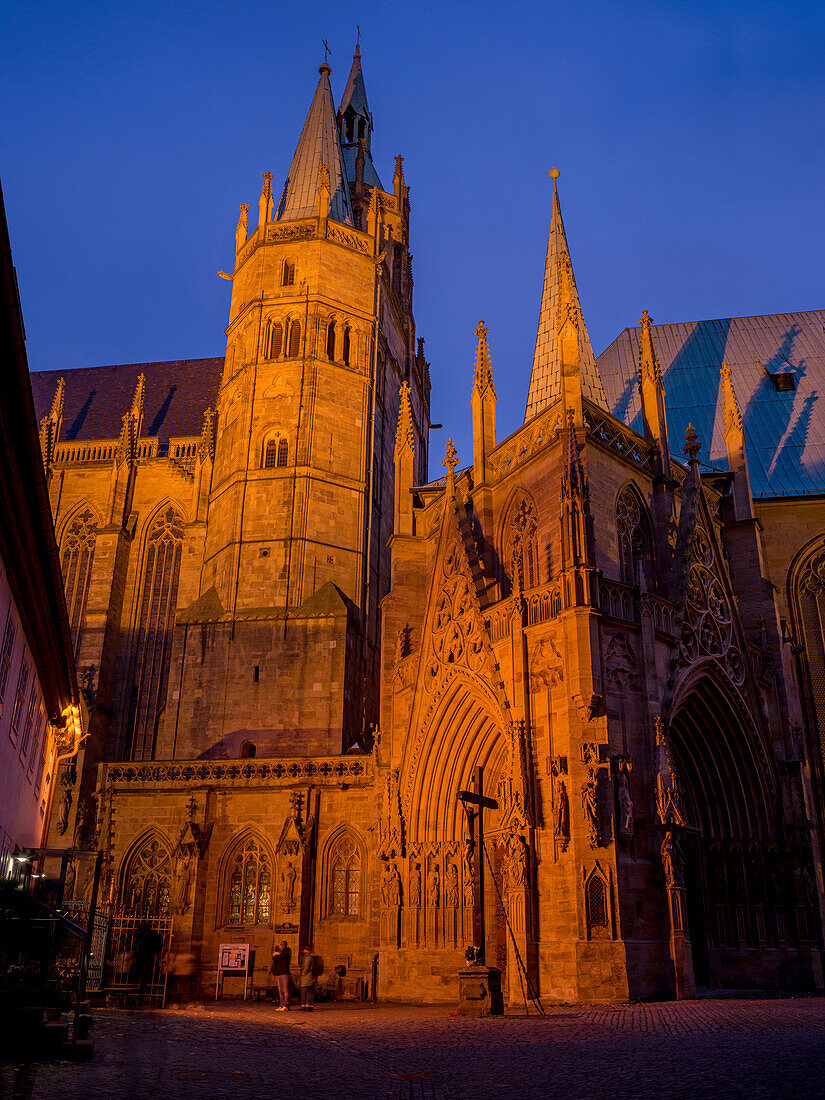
97 398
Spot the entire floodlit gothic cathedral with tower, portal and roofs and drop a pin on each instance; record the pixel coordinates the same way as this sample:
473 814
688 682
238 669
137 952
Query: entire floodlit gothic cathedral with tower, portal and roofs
296 651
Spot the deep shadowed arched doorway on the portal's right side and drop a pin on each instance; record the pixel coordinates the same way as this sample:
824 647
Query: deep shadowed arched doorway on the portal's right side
730 843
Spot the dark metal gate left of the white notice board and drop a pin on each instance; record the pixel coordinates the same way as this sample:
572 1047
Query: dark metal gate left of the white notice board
124 972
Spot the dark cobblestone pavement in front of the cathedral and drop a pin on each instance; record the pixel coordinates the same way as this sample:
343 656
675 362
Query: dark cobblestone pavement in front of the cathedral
755 1049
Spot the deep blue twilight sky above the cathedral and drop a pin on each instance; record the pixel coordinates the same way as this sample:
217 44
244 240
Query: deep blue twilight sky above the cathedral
690 138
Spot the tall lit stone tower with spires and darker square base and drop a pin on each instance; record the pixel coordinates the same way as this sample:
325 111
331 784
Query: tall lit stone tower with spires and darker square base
277 651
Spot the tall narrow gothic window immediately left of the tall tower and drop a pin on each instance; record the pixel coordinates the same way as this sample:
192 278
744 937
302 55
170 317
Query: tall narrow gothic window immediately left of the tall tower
157 620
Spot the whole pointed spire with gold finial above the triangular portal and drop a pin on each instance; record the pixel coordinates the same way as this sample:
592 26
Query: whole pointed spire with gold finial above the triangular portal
563 339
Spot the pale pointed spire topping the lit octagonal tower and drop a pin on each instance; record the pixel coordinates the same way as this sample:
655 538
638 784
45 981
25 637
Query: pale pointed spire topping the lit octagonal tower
318 145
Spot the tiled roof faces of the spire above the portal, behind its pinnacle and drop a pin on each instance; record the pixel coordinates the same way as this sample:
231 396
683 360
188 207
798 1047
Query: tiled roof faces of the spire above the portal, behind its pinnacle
546 377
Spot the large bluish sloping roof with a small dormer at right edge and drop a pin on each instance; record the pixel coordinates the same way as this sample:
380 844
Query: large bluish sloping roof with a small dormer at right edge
785 432
